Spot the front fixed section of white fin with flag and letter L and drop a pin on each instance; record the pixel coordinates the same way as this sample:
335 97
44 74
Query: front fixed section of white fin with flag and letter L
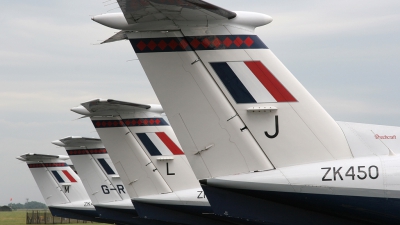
159 142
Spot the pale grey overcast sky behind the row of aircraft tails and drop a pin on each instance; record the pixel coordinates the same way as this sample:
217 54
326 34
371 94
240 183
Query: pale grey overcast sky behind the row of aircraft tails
346 53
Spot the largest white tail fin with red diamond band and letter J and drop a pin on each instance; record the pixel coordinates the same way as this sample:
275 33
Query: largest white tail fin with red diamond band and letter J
233 105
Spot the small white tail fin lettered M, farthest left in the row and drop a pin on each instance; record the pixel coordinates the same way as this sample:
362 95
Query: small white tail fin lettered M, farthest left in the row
57 182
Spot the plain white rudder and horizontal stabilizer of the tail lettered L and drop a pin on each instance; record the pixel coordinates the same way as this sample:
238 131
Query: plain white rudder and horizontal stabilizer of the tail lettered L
136 170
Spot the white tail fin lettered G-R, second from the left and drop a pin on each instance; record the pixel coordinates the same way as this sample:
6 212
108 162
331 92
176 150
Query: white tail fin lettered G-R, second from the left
96 170
